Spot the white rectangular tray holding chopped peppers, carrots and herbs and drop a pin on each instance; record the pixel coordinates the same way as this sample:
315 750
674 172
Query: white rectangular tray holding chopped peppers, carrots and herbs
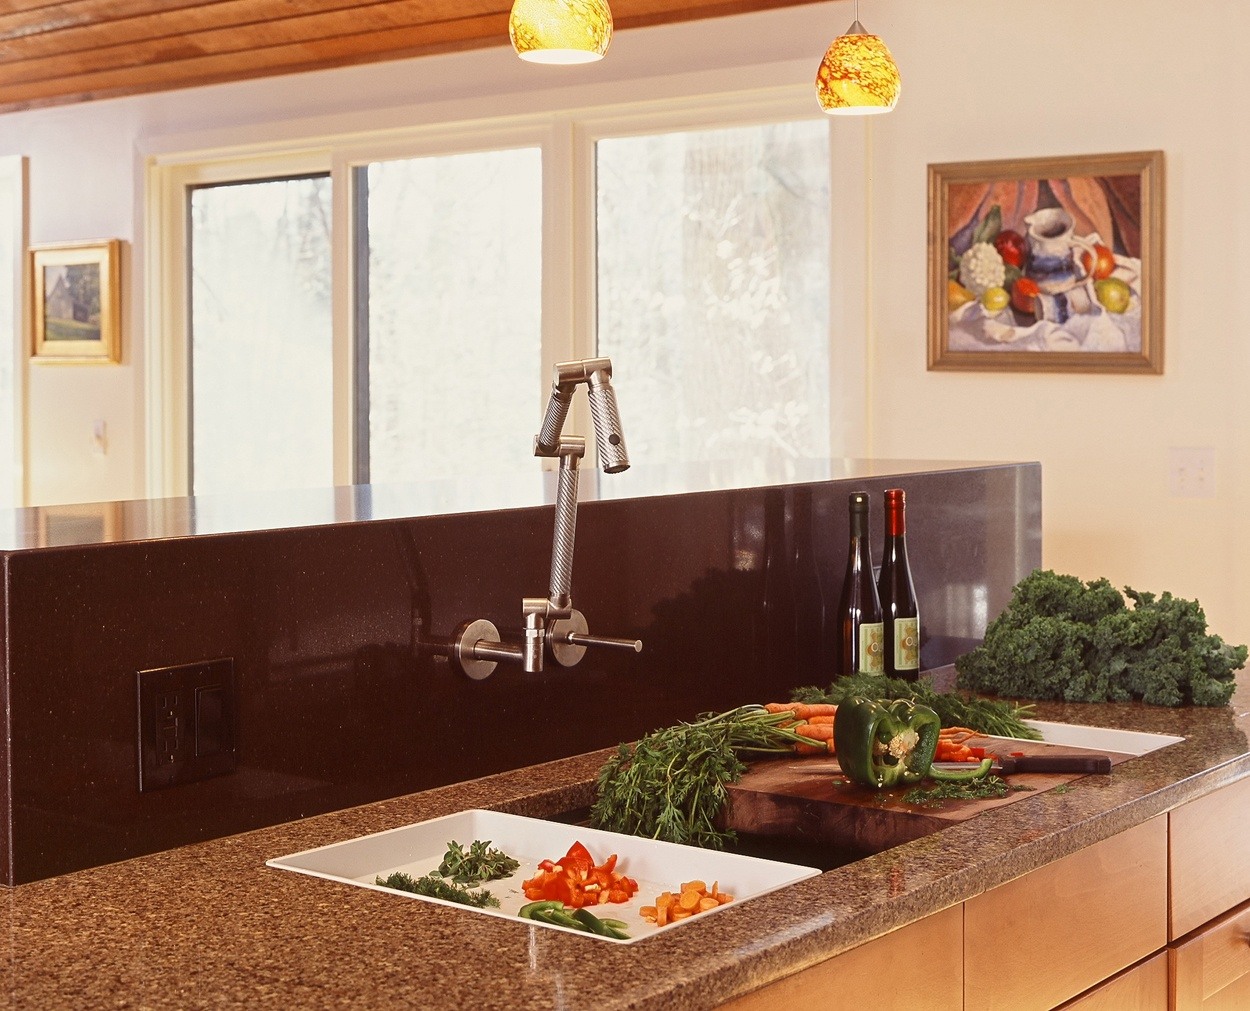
657 867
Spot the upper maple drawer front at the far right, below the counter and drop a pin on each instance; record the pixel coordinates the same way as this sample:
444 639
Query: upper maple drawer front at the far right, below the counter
1209 869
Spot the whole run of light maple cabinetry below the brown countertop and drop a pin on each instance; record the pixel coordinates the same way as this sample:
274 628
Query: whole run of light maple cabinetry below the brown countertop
1154 918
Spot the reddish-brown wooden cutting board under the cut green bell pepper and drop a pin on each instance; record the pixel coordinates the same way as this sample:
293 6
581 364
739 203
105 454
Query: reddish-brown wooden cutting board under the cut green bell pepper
806 798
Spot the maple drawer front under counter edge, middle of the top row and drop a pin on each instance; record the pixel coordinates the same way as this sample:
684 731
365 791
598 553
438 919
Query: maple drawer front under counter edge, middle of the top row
1069 925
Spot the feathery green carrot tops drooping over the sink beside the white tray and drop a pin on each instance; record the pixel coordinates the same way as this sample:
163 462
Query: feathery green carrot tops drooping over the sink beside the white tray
673 784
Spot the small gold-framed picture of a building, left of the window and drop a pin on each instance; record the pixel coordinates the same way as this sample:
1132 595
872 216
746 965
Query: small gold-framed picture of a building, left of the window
77 302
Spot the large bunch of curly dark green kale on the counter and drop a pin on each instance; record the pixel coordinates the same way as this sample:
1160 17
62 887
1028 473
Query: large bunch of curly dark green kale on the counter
1081 642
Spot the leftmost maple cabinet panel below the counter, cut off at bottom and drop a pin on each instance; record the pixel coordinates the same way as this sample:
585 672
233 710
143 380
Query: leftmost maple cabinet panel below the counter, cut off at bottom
917 967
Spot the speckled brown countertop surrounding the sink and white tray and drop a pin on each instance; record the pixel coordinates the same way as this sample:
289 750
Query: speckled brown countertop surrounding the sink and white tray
209 925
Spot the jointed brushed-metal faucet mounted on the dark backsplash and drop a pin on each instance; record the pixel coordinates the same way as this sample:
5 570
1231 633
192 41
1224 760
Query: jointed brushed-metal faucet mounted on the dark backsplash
552 622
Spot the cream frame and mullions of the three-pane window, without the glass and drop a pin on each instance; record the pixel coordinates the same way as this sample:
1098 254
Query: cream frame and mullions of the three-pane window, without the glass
568 139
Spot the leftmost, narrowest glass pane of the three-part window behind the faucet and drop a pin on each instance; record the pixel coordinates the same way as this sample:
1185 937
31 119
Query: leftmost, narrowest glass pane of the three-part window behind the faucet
261 336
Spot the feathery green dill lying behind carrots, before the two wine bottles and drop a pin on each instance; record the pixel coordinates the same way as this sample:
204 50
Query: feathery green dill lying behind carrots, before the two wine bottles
991 717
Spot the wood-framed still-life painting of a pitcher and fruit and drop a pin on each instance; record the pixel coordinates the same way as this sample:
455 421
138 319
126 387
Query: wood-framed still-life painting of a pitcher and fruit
1073 281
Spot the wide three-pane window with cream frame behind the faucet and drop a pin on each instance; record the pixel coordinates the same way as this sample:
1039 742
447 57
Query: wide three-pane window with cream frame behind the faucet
394 317
